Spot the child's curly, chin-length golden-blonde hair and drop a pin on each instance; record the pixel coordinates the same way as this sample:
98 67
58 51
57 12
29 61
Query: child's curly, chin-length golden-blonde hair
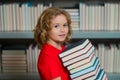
43 24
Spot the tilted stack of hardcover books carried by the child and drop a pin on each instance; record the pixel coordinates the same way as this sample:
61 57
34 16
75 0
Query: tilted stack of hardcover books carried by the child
81 62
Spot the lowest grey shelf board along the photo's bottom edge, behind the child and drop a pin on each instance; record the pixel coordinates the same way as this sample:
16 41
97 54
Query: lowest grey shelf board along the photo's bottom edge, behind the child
35 76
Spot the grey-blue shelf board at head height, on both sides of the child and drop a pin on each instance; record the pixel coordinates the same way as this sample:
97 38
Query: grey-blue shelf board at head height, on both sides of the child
76 34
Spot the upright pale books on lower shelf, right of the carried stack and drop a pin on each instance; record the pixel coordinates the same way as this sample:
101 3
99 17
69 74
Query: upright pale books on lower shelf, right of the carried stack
109 57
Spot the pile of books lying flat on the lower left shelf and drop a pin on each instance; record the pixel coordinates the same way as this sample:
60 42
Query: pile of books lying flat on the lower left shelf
14 58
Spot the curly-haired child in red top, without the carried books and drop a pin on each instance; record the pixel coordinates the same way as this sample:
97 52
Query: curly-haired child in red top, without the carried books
53 29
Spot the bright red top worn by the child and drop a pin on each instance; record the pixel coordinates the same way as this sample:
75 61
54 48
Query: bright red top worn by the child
49 64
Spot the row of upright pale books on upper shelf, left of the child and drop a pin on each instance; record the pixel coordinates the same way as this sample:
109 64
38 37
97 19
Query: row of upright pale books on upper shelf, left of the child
20 17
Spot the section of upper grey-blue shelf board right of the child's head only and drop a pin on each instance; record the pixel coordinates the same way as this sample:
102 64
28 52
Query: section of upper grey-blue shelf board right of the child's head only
96 35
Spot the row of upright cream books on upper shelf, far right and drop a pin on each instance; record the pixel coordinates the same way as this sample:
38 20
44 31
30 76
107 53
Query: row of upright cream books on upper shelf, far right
99 16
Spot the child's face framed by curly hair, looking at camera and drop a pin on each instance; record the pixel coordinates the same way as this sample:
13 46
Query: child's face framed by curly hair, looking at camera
59 29
